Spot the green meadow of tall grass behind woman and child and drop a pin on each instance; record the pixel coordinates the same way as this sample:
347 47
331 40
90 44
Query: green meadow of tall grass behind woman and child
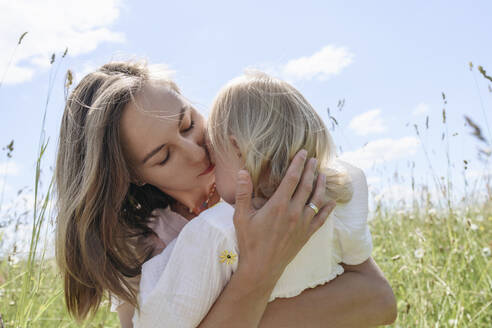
437 258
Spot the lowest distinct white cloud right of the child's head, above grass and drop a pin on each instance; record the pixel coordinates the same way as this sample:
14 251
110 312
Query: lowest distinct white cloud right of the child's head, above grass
382 150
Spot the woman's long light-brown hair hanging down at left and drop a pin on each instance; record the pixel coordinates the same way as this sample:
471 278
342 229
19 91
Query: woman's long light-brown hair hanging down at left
102 217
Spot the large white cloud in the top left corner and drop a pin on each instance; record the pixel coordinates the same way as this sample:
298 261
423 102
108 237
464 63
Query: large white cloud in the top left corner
52 26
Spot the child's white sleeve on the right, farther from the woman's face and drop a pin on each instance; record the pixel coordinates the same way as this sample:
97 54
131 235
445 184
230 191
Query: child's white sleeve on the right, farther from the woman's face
351 228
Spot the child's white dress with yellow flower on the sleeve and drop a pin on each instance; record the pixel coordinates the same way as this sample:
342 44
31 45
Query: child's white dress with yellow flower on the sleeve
179 286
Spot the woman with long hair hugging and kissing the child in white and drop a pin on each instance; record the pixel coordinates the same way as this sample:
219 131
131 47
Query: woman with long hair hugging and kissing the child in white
119 160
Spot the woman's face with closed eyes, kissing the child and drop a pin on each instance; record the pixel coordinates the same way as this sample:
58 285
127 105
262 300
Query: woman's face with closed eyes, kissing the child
163 138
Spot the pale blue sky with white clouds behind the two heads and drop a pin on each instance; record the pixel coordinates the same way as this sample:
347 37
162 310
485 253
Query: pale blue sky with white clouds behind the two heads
388 61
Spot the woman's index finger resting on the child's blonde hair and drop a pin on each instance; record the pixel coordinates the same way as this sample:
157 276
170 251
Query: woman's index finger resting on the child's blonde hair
289 183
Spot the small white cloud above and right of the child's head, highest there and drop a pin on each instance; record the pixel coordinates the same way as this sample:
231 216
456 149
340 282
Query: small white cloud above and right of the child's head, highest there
323 64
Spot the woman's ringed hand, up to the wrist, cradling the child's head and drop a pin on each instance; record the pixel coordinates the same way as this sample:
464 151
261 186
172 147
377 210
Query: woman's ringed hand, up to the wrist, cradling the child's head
269 238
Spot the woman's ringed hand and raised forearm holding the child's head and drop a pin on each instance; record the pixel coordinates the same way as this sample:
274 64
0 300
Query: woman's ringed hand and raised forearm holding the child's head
268 239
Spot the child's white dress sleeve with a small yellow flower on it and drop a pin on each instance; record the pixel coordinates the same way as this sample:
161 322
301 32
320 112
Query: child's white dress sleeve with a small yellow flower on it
201 264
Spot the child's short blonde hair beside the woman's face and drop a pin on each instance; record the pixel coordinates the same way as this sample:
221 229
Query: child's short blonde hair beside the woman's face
271 121
